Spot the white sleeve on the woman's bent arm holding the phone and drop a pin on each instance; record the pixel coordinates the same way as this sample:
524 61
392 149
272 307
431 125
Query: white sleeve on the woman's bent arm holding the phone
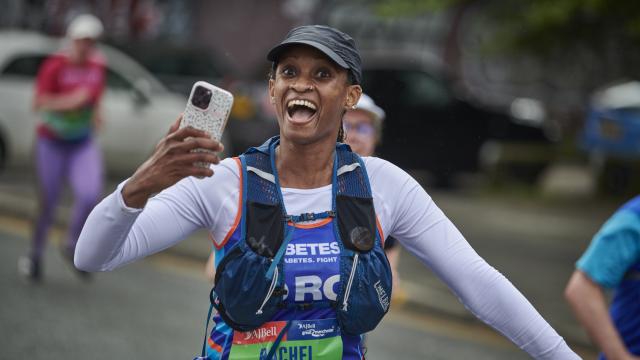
115 234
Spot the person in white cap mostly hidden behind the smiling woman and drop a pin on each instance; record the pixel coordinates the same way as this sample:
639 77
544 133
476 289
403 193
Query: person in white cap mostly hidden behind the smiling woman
363 132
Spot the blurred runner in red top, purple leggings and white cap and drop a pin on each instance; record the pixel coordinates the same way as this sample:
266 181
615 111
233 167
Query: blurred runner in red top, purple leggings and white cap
68 90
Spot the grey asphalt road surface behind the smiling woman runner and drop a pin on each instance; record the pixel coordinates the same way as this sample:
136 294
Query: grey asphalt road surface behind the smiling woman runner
155 308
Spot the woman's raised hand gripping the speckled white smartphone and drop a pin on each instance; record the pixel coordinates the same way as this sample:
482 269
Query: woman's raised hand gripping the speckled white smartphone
172 160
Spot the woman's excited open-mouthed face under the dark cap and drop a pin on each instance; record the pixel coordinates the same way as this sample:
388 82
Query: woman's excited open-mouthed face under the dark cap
310 93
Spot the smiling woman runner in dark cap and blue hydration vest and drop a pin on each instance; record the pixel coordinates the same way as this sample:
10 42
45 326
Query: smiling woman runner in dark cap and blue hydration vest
299 224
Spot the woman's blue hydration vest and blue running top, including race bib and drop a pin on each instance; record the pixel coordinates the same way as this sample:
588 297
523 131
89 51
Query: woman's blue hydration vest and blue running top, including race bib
289 290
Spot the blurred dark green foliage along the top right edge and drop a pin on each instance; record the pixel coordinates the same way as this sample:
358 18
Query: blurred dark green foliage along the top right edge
540 25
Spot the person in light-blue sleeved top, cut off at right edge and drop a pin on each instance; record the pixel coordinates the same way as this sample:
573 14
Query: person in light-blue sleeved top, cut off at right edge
612 261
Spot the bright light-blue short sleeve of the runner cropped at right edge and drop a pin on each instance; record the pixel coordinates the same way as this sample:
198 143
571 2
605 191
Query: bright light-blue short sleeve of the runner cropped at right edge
613 250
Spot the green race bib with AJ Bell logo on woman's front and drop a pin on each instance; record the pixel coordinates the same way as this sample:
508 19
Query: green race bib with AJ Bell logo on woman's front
304 340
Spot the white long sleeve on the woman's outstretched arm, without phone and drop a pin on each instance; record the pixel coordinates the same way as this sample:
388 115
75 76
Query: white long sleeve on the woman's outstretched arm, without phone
408 214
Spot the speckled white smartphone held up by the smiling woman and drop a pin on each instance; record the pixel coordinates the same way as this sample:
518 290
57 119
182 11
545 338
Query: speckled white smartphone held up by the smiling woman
207 109
